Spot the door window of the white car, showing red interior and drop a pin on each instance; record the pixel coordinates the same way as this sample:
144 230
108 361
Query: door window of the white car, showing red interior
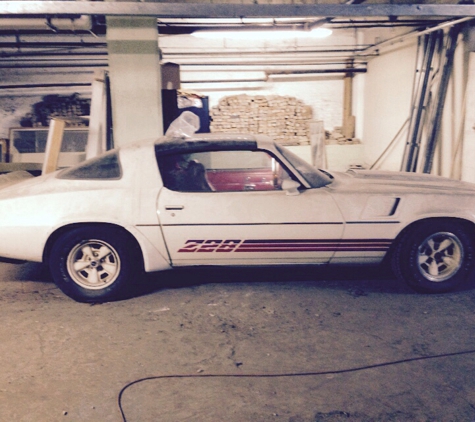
222 171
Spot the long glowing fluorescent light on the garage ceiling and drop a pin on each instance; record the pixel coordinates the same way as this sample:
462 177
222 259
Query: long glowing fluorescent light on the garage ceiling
264 34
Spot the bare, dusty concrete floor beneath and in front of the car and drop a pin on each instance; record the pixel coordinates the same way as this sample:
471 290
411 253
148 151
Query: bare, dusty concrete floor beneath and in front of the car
65 361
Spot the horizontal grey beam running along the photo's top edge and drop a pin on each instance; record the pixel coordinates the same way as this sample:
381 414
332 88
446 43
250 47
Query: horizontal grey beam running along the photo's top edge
214 10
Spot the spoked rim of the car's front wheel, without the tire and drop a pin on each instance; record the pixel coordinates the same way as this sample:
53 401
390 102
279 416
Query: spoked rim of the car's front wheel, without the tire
440 256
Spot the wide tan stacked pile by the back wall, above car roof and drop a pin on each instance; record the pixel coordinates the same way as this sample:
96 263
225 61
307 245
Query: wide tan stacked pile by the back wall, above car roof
285 119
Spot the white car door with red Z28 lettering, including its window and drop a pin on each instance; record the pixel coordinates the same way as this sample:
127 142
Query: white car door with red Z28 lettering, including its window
228 207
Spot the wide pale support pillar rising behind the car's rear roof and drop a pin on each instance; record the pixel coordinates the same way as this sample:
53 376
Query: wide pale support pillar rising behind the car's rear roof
134 71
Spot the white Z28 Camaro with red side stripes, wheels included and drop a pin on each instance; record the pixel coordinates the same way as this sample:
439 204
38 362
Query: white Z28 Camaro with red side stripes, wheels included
233 200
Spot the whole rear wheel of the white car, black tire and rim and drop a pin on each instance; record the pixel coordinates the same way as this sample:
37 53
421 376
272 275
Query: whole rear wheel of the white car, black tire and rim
94 264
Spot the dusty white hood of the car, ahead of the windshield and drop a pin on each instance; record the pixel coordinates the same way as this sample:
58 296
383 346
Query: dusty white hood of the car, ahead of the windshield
369 179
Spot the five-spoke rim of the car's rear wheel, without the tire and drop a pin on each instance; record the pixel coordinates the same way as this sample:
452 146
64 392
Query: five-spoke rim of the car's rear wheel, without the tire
93 264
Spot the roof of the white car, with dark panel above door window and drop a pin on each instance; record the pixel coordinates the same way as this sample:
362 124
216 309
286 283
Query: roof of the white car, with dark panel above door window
206 141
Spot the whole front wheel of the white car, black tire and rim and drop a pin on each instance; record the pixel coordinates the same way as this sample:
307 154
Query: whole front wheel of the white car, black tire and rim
435 256
